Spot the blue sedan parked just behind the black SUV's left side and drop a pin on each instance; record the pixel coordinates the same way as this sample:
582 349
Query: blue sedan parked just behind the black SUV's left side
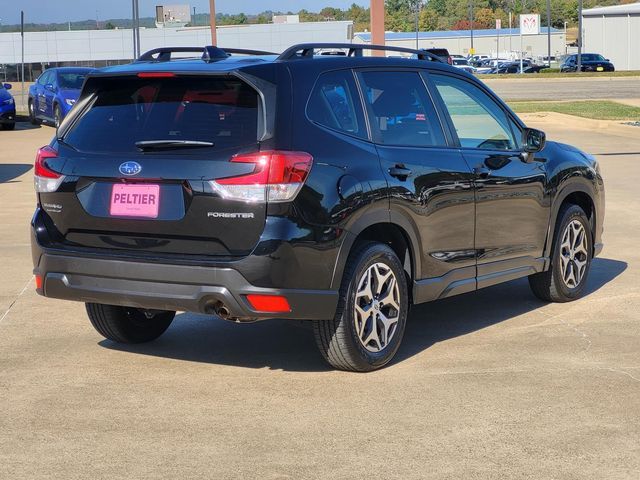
54 93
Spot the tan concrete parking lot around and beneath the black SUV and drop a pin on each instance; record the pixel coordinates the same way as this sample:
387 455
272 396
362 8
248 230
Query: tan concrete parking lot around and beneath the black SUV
494 384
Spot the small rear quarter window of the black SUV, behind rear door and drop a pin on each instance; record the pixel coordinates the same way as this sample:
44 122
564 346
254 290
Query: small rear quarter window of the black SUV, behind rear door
334 103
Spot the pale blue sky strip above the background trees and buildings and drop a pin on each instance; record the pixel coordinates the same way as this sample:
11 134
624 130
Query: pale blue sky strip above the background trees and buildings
57 11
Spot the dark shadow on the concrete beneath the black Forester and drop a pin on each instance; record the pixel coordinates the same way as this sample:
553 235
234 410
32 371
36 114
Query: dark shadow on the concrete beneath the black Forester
289 345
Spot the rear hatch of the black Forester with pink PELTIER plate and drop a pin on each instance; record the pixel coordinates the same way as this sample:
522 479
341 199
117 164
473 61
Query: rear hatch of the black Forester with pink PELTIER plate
138 160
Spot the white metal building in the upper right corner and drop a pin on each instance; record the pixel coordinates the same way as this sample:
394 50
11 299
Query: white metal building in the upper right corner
614 32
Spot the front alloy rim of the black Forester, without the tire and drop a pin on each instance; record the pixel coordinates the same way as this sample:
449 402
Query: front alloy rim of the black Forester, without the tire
573 254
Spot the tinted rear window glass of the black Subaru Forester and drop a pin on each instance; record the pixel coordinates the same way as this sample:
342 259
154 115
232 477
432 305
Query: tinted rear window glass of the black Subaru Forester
223 111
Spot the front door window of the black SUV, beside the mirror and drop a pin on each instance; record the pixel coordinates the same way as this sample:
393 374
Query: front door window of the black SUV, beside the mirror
479 121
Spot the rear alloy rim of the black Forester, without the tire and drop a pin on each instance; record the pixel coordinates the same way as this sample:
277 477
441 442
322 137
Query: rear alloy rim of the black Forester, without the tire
377 307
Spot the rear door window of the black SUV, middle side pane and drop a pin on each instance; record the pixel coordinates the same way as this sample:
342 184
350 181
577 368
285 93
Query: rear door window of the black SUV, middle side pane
400 109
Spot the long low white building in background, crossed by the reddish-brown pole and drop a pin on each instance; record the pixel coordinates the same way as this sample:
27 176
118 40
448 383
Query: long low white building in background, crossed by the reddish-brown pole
504 42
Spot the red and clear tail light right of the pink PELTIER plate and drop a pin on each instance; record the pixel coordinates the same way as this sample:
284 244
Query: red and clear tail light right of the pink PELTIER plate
277 176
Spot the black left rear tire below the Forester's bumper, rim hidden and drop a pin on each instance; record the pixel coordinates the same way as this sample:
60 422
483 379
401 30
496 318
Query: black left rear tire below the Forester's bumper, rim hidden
127 324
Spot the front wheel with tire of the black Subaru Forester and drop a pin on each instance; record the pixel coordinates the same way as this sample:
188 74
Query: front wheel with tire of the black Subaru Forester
552 285
